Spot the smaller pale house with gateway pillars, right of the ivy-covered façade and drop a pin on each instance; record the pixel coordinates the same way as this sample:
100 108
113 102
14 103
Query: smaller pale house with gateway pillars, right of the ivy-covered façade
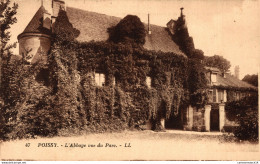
223 88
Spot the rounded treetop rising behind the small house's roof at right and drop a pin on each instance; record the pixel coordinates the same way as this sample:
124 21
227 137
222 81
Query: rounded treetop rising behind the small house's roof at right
217 61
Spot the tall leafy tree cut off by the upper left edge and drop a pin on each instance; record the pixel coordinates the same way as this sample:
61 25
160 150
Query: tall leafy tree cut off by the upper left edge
7 18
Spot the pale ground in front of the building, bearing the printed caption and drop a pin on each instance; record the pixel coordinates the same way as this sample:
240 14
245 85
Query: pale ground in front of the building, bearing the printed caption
132 145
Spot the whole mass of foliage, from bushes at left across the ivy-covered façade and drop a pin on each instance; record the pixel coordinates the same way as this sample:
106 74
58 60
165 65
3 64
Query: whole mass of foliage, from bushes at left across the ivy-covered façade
71 102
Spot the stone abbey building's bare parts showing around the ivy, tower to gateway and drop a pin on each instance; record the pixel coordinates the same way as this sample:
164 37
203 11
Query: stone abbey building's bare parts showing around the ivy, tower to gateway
35 41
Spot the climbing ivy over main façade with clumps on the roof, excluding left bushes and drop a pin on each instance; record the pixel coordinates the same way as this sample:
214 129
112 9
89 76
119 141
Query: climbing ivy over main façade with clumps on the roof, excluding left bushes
177 82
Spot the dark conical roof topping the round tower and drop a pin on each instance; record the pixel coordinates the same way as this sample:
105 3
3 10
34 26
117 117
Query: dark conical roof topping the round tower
35 25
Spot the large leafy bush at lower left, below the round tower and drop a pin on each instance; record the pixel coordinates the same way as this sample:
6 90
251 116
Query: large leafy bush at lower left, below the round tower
35 115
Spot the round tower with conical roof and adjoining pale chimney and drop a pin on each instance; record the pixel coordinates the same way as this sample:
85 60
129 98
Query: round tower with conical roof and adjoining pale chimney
35 40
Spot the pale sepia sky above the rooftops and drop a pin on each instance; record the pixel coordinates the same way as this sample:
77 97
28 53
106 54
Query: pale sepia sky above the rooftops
230 28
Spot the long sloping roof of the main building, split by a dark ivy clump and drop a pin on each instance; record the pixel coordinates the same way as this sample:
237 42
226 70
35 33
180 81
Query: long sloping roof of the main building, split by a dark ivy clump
93 26
